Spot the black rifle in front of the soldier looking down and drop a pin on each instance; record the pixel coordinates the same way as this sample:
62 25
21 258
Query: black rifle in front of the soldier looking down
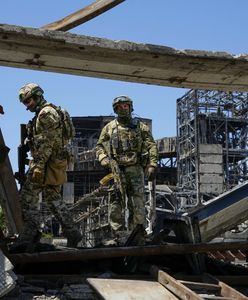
22 156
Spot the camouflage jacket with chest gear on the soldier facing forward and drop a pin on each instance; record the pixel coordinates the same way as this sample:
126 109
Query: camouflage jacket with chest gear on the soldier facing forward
128 144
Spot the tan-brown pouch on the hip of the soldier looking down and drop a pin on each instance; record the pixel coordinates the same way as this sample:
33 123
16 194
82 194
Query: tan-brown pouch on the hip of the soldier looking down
56 172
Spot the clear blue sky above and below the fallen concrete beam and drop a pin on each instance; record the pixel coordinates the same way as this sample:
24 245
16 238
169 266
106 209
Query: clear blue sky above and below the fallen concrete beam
201 25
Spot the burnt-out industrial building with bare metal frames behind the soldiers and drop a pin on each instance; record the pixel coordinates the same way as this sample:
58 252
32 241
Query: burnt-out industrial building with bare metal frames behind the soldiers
207 158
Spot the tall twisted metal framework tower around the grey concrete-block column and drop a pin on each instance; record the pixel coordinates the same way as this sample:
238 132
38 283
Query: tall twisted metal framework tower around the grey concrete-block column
211 118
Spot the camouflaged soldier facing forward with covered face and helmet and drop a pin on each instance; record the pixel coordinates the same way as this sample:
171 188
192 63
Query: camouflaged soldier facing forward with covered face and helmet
129 142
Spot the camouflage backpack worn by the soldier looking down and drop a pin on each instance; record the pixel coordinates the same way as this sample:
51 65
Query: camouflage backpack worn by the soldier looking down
68 129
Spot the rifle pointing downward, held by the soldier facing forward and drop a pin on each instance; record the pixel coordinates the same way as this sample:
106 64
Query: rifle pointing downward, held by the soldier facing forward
120 185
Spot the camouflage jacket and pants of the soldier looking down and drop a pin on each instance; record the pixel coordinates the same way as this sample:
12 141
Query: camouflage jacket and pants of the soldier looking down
46 143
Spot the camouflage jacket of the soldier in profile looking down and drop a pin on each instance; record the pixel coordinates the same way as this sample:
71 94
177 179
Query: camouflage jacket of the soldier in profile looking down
45 136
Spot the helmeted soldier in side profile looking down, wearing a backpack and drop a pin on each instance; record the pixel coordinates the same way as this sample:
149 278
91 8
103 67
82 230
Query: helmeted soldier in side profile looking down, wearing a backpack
47 169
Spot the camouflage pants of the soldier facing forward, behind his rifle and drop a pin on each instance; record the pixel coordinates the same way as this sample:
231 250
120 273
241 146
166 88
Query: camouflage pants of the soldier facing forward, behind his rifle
136 200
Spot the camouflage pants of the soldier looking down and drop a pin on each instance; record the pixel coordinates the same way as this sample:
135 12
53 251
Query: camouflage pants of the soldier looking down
32 215
